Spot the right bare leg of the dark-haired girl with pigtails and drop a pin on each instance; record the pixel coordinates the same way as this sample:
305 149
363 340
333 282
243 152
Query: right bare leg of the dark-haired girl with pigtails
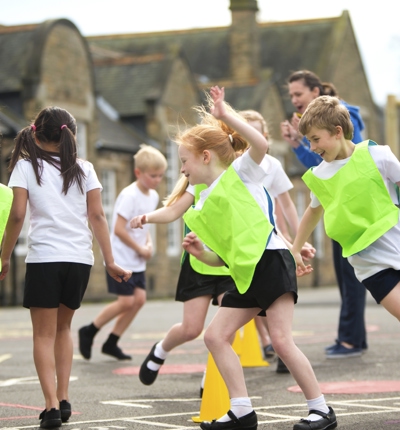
63 351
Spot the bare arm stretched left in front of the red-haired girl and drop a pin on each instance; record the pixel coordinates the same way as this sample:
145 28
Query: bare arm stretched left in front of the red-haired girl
166 214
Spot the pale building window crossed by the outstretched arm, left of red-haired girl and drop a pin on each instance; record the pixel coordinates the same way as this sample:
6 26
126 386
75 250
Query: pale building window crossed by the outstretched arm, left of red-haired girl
174 230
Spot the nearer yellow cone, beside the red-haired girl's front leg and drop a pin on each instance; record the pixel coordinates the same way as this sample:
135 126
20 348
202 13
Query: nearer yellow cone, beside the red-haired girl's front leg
215 401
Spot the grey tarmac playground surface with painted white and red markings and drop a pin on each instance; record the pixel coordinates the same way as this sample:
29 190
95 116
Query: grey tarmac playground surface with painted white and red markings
107 394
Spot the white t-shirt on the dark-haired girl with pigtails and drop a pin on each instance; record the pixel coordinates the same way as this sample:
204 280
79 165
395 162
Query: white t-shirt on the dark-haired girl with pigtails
58 228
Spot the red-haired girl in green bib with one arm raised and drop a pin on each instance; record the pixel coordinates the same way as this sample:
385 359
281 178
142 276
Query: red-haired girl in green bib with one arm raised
232 218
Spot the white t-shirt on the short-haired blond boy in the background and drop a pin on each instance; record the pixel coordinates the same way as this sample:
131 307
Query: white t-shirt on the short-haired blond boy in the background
132 202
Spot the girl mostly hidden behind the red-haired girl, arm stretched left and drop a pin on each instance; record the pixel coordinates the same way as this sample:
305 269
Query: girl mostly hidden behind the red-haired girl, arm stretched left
198 283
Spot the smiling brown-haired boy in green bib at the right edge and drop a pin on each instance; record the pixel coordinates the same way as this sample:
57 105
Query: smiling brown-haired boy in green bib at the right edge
358 185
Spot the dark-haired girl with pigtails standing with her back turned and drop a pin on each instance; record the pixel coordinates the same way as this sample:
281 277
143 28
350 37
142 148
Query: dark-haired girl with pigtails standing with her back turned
63 194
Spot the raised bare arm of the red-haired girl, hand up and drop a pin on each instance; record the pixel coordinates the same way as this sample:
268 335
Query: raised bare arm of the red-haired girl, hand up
258 143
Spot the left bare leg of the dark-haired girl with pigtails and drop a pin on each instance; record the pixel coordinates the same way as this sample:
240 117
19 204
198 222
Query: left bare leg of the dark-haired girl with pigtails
44 323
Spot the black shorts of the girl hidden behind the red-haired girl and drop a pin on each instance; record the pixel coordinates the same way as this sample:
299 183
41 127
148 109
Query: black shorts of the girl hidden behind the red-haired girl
192 284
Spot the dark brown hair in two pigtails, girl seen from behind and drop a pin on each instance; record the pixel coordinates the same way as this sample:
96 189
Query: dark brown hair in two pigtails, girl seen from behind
51 125
